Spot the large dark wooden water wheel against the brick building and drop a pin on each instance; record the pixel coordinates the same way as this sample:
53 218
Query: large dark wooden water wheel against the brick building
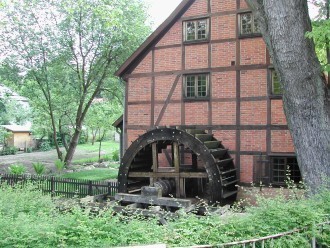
183 163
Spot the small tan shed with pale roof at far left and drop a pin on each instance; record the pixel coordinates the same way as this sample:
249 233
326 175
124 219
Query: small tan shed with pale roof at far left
21 136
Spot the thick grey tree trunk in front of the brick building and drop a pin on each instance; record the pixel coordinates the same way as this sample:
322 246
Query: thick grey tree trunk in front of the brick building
306 100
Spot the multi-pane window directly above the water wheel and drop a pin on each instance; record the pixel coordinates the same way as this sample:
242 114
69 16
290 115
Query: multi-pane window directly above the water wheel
196 86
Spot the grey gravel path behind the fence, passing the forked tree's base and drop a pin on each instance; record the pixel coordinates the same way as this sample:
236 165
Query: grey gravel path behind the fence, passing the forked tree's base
47 158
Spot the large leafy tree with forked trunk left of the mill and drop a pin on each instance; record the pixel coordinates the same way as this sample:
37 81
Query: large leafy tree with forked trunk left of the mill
68 50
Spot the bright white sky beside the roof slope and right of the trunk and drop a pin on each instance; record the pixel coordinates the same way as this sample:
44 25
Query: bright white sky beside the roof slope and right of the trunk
159 10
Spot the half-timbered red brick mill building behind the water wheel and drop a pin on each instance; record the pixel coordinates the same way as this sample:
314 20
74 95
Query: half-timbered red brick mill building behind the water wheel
207 68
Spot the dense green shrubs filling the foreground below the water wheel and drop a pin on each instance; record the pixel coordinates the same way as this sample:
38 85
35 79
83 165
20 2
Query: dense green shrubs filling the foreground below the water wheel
30 219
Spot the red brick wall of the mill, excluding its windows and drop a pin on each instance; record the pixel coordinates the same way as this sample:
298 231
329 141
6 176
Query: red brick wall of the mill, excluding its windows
172 58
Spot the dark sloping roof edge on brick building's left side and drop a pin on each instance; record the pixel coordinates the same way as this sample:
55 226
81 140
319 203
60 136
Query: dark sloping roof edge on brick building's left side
154 37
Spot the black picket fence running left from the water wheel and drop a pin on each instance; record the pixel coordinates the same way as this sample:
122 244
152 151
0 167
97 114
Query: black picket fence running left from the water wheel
64 187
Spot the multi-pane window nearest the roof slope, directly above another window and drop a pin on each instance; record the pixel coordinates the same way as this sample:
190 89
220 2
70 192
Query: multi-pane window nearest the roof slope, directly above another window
196 30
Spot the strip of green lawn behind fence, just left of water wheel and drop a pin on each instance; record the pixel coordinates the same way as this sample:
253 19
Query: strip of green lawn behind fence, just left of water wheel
95 174
